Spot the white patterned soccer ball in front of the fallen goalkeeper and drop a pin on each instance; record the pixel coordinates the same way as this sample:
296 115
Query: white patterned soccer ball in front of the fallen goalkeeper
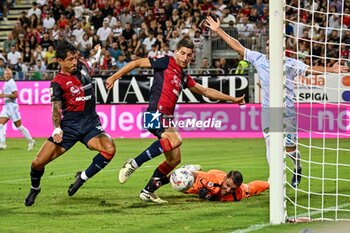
181 179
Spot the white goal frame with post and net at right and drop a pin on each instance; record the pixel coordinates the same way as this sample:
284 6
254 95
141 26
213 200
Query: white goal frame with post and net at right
319 37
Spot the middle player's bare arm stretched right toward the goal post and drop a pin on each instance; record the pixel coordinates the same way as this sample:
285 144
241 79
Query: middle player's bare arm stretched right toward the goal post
215 95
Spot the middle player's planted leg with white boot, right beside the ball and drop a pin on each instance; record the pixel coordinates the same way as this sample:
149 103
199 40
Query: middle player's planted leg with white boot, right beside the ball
160 176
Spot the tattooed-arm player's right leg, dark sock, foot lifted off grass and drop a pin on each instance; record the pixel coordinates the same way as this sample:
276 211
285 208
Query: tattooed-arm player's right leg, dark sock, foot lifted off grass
105 145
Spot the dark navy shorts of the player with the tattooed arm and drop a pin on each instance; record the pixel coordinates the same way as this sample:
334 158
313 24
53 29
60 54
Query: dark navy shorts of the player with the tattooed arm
80 129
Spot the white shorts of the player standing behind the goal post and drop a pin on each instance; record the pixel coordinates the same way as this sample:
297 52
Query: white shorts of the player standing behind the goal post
290 127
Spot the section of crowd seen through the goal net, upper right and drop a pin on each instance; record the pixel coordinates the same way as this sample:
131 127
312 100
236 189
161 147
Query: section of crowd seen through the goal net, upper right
328 39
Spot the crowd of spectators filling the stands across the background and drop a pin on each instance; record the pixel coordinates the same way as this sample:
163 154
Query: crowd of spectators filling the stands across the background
129 29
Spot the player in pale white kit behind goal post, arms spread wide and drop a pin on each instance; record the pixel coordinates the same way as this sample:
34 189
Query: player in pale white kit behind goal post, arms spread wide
293 69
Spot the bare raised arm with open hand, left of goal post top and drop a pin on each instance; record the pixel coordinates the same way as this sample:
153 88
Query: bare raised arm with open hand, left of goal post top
232 42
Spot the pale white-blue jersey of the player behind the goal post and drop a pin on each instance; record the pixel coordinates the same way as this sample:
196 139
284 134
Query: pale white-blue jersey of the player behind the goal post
262 65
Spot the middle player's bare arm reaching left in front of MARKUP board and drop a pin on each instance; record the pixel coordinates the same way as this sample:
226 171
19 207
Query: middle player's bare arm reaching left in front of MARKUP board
139 63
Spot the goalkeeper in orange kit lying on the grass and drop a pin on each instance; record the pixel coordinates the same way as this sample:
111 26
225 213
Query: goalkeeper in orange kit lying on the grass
216 185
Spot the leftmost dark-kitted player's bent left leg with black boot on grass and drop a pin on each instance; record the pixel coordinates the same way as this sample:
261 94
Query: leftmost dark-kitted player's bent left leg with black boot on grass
48 152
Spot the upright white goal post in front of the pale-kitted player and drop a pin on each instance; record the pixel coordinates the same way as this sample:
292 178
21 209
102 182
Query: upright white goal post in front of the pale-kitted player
277 189
